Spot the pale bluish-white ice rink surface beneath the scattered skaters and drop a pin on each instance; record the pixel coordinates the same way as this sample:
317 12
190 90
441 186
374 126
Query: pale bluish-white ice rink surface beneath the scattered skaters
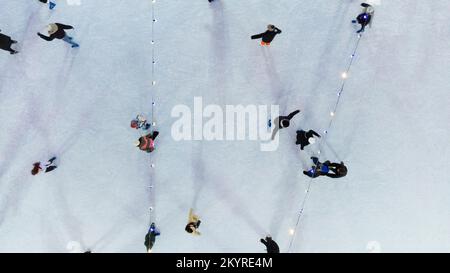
391 127
